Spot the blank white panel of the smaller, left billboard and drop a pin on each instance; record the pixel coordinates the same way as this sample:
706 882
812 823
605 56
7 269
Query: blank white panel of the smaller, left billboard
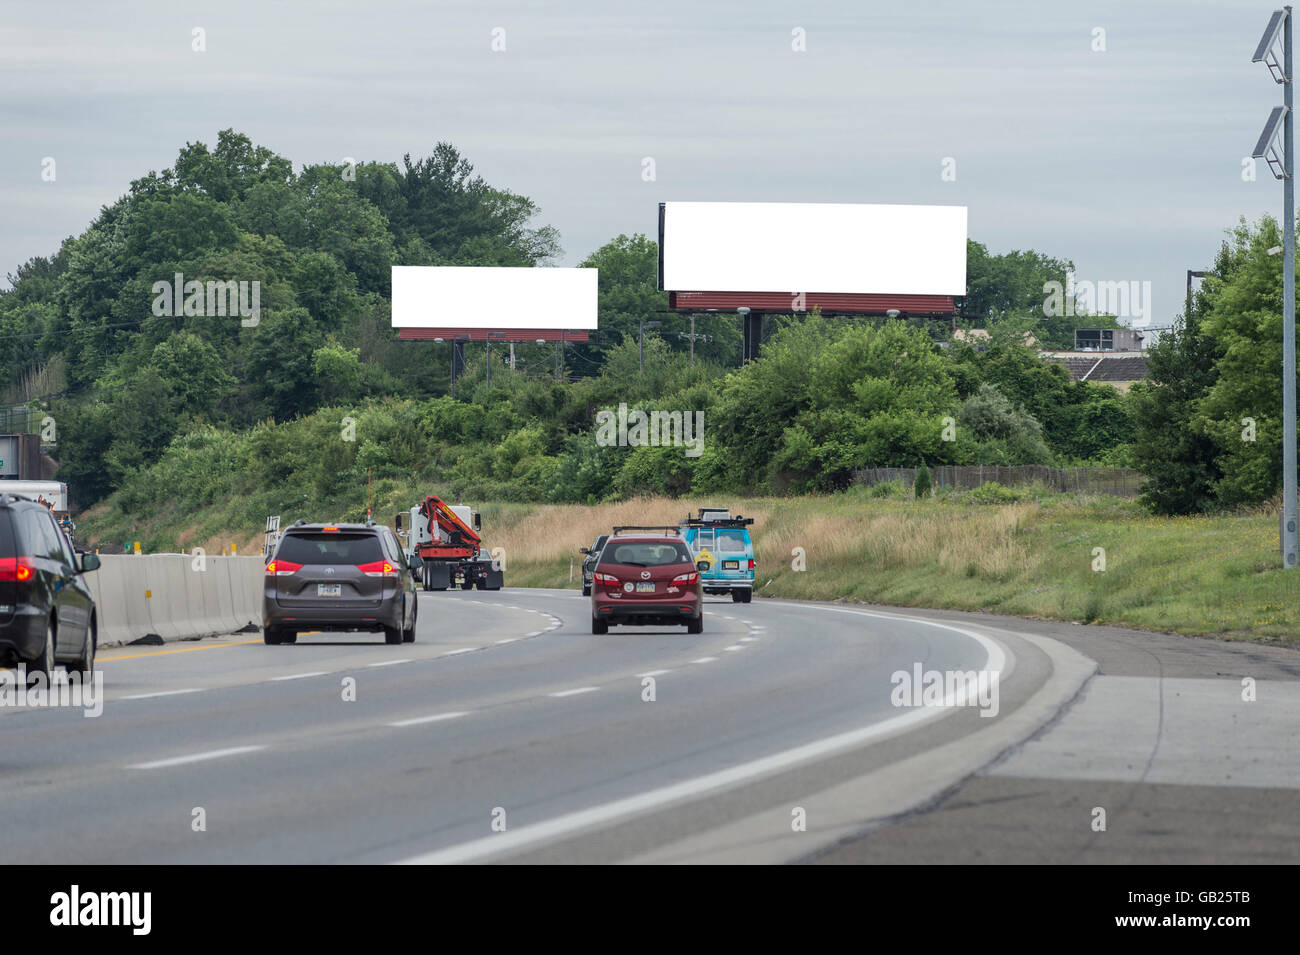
493 298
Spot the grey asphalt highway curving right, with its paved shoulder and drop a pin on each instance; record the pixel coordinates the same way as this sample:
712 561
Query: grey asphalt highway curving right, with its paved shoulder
509 733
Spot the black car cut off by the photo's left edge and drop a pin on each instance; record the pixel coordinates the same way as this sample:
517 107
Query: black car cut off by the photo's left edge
47 613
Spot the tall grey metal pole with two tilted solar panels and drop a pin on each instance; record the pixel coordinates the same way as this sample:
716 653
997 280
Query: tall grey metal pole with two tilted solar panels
1282 164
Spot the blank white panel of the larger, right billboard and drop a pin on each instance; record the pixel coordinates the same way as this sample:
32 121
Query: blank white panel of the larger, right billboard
813 248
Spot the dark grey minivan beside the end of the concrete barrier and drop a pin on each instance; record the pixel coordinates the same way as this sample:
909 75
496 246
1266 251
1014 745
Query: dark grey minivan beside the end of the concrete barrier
339 578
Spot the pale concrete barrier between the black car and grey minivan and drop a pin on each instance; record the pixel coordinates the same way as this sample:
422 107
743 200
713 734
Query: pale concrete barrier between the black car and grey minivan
167 594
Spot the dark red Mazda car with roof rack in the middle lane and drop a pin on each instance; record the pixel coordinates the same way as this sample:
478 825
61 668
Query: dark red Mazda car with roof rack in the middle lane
647 580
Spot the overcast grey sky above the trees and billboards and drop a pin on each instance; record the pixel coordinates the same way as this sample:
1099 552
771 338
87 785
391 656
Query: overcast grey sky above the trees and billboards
1128 162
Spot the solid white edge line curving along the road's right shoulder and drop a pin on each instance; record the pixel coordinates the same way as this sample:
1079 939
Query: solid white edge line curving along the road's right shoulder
657 798
